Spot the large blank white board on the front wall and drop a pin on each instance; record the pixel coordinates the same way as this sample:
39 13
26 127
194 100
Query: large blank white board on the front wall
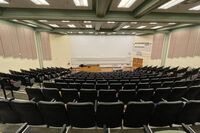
105 50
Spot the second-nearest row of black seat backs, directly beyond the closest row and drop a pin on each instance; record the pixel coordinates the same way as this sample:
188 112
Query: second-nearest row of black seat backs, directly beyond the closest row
88 95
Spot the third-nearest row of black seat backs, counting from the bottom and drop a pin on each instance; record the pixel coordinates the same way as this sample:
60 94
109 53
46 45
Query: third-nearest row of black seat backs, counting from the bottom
119 86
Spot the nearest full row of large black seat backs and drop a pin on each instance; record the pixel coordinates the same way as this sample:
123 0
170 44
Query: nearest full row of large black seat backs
85 115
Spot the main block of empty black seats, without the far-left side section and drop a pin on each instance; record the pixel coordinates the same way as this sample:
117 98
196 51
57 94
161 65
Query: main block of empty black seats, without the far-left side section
142 99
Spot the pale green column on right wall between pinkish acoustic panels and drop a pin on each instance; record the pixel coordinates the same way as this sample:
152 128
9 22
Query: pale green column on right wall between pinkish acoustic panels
165 48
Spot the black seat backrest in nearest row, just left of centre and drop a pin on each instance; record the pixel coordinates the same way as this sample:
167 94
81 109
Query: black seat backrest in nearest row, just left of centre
81 115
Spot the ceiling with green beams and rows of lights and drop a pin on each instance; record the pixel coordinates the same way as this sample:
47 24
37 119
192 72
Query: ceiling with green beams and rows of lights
103 16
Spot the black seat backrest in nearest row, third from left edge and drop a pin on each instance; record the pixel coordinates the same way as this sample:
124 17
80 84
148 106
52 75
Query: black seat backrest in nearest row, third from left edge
54 113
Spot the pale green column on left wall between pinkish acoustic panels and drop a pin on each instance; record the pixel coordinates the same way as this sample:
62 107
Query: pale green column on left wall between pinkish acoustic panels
39 48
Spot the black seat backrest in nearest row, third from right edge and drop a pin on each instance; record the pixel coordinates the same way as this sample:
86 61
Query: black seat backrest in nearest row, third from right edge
138 114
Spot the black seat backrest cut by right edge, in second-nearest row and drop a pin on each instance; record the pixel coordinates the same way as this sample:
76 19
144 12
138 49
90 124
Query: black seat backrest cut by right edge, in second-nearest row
193 93
